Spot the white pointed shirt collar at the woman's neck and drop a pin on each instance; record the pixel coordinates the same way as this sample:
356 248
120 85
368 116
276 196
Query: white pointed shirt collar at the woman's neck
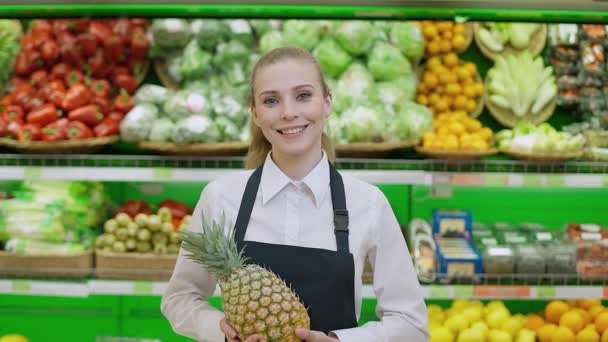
274 180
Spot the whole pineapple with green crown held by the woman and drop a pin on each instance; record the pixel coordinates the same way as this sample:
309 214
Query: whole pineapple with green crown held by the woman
255 300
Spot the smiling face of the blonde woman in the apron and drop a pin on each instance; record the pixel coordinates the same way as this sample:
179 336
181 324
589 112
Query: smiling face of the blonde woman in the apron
290 108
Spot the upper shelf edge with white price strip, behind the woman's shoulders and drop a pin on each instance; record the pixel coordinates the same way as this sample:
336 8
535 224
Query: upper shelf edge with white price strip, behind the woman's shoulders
491 173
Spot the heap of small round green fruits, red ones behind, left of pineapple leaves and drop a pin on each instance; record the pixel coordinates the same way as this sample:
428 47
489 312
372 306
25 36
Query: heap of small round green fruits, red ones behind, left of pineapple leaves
133 230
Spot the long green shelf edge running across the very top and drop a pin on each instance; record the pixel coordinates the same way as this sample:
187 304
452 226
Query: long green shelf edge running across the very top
519 10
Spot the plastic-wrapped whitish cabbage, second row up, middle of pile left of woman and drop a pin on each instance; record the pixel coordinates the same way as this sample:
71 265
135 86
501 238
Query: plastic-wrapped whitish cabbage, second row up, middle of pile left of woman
185 103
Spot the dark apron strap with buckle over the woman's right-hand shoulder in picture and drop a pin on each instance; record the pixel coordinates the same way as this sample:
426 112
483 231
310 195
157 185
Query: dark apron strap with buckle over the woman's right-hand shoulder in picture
338 200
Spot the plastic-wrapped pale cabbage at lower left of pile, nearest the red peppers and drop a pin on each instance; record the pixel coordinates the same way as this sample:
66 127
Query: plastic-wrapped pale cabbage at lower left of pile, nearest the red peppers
137 123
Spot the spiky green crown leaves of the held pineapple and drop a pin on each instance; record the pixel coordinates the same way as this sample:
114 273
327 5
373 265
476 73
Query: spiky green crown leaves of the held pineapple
213 249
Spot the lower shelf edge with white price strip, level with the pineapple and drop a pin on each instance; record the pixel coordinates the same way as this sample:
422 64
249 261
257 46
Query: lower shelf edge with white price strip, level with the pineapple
157 288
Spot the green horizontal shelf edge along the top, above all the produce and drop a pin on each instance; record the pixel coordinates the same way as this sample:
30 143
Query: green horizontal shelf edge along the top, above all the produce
294 11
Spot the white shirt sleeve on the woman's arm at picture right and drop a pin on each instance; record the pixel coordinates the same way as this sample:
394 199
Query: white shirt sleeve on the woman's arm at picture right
400 306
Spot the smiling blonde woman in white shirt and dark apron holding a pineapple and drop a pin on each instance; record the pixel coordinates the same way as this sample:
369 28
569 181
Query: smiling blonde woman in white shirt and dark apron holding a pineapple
298 216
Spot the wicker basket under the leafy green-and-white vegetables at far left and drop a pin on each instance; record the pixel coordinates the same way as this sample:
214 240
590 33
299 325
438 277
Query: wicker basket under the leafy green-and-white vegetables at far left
61 266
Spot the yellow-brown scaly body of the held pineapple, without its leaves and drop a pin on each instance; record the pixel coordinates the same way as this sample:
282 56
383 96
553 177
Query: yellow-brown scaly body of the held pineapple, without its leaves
257 301
